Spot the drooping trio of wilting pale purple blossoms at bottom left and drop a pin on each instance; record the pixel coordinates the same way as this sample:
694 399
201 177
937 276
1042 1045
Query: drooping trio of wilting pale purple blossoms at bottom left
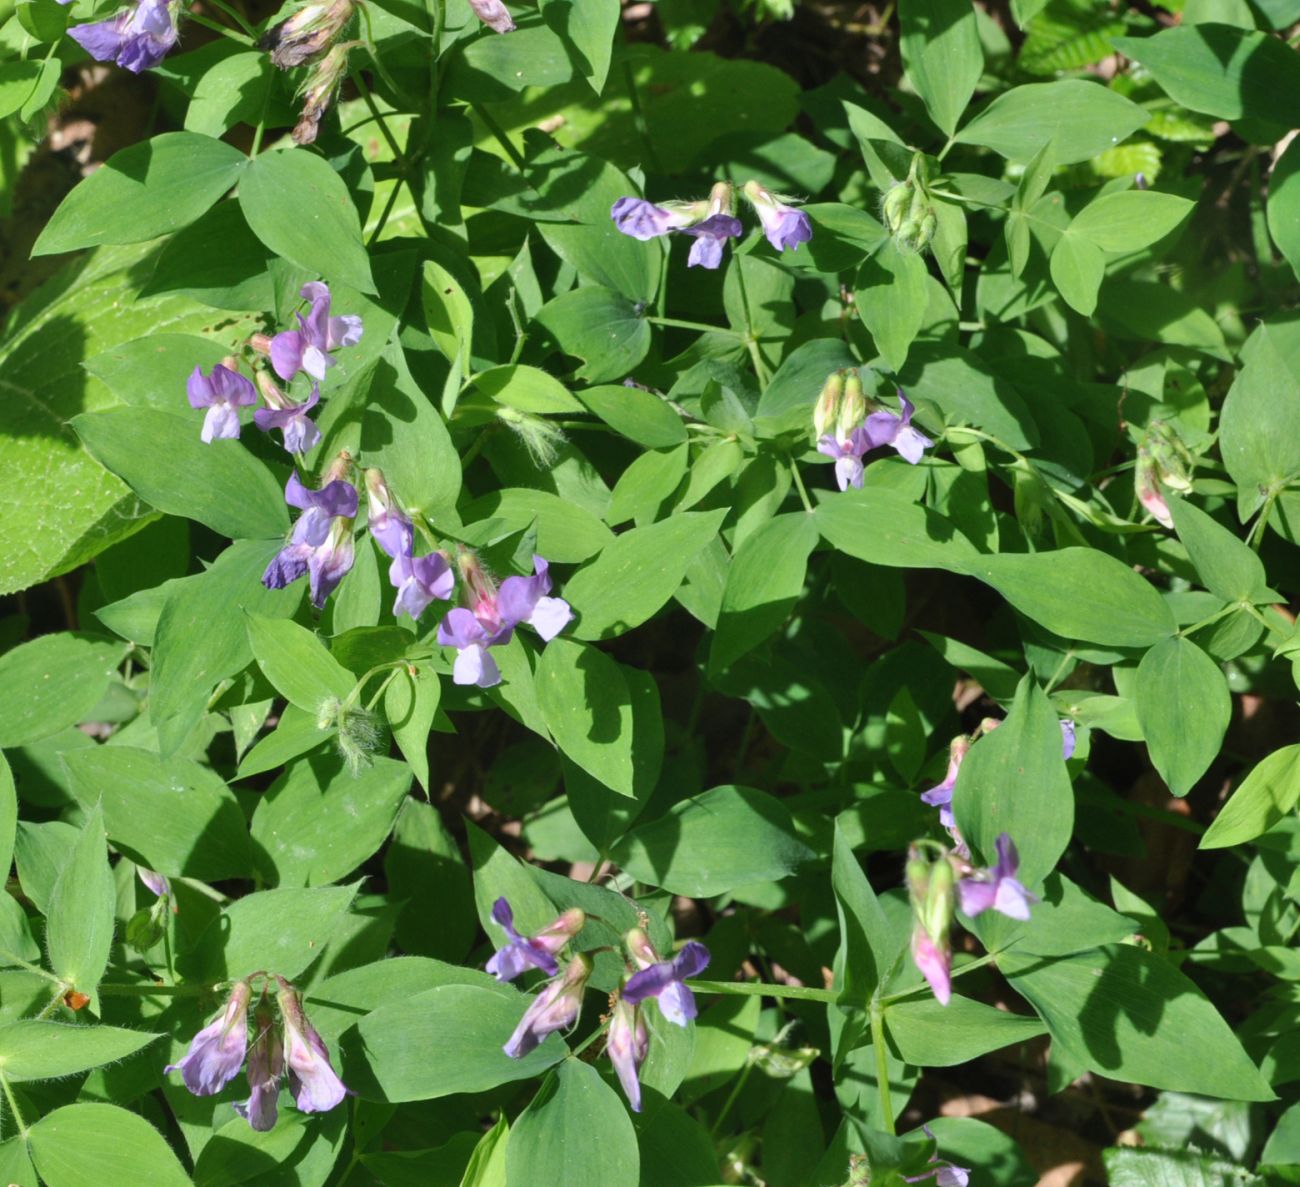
284 1042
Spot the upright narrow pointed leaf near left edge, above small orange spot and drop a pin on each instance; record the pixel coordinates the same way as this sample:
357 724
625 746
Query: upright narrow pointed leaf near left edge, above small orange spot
81 909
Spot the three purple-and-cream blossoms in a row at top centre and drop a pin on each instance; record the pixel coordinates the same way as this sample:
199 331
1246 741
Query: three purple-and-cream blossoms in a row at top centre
712 222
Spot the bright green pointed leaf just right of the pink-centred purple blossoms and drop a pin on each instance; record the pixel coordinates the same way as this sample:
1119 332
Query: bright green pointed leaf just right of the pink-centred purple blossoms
638 574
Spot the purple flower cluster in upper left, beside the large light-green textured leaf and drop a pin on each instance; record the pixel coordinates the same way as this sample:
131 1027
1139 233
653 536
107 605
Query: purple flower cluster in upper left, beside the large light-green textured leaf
309 350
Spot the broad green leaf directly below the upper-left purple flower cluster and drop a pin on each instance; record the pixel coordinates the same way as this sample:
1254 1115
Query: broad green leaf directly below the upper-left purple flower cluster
161 457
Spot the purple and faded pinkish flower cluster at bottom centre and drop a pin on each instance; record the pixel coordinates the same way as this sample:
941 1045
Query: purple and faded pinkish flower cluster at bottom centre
561 1002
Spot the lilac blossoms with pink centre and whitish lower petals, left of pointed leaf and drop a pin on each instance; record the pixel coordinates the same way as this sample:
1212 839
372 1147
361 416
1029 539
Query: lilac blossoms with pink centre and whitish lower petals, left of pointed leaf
493 617
